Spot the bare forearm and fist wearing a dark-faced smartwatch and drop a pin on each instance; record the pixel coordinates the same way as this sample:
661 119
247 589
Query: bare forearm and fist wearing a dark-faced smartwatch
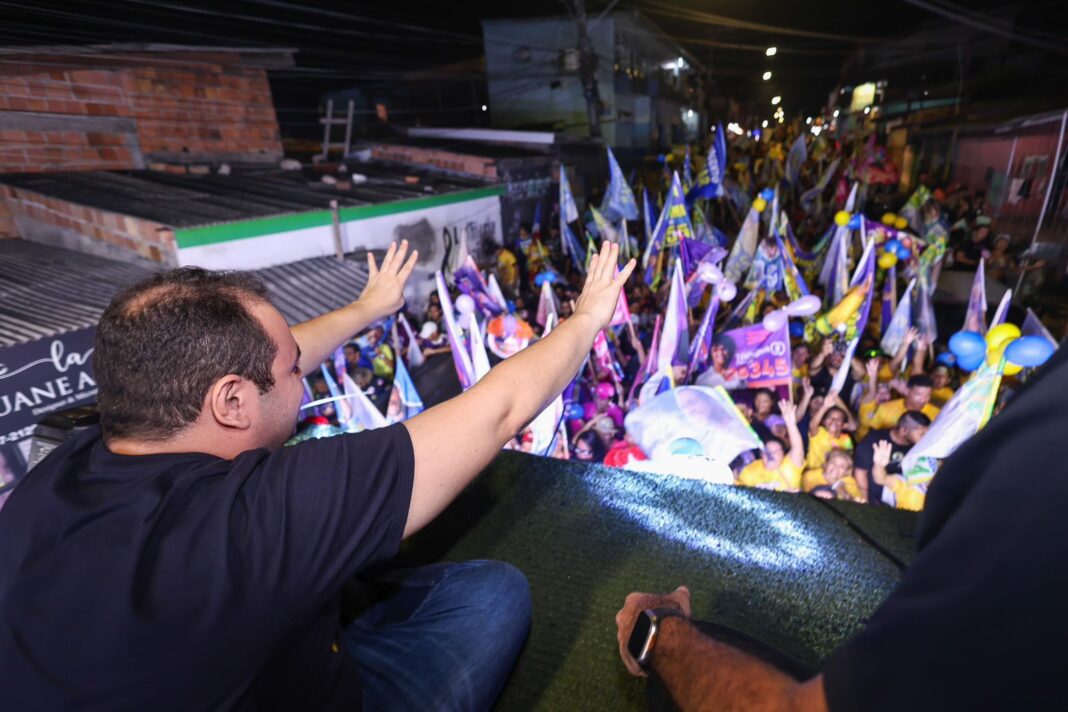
656 638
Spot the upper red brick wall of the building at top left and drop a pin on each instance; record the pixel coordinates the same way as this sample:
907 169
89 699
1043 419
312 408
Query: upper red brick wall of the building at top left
111 119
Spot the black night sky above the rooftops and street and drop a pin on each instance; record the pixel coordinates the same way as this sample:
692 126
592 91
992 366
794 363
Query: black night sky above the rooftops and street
343 44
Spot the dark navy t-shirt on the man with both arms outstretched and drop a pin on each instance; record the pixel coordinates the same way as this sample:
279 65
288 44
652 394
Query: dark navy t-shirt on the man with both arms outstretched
186 582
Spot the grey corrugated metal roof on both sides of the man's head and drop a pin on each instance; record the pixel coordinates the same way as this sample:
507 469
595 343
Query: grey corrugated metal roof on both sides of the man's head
46 291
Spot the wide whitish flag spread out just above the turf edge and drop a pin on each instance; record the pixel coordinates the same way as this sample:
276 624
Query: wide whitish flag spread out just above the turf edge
708 416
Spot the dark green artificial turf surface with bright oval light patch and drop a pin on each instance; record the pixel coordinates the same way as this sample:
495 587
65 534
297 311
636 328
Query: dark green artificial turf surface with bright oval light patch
784 568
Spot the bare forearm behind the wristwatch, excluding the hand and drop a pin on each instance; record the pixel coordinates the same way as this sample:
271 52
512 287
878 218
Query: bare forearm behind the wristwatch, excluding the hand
702 674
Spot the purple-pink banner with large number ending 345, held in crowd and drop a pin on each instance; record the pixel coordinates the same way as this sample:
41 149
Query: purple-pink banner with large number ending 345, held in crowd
762 359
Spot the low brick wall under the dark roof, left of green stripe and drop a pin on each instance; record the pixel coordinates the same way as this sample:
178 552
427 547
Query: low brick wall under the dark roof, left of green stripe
68 225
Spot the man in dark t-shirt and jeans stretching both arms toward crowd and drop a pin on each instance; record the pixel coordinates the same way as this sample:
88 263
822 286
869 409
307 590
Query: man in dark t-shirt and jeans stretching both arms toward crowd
179 559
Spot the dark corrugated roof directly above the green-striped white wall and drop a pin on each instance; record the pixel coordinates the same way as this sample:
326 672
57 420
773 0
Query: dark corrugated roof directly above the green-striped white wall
191 201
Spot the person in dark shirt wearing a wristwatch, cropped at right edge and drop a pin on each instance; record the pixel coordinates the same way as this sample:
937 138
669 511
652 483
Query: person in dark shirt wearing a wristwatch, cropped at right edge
973 625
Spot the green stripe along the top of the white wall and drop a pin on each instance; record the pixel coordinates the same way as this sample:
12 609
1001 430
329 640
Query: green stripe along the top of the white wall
195 238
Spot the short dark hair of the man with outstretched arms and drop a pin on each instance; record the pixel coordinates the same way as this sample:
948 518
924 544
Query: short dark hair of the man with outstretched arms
165 341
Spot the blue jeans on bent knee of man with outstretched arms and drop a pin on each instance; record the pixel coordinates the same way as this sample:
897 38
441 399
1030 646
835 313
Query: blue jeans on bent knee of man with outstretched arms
444 638
